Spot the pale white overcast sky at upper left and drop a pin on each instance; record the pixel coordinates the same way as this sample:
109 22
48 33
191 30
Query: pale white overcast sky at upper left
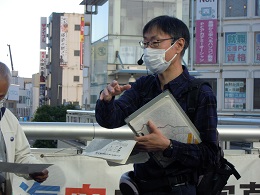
20 28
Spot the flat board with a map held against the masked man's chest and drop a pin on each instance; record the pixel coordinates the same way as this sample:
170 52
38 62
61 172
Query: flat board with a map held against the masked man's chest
169 117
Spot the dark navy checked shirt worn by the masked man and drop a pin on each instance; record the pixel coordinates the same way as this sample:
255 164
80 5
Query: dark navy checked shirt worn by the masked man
187 157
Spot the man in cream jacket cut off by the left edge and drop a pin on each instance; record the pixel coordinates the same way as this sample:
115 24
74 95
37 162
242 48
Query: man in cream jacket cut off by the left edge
14 146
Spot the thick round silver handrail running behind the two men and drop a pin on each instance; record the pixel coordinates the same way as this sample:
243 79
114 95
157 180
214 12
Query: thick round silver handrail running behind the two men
89 131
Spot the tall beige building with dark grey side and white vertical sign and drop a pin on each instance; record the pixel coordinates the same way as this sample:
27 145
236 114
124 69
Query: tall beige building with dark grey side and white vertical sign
63 79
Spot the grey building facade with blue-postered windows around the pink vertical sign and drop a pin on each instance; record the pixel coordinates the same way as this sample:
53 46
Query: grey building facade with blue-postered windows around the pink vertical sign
235 75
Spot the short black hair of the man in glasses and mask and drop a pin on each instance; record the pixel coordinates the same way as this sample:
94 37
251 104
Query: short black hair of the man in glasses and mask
172 26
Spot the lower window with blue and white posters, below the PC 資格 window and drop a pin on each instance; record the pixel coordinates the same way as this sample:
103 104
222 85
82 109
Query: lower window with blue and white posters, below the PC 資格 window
235 93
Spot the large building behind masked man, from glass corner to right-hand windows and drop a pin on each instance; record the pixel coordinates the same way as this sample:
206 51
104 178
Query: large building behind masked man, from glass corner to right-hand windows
224 49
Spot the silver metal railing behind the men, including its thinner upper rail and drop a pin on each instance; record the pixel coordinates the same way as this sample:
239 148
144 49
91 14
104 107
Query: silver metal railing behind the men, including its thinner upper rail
81 125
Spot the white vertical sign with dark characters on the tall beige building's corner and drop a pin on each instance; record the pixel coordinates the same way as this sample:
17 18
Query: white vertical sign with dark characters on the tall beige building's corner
63 40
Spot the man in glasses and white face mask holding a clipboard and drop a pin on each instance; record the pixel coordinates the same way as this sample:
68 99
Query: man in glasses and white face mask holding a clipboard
165 40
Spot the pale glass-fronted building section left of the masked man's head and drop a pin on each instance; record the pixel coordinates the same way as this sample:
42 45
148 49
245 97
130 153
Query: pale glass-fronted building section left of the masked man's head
116 50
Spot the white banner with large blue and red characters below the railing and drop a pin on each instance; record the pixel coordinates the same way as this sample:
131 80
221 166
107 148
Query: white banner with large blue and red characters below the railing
77 174
